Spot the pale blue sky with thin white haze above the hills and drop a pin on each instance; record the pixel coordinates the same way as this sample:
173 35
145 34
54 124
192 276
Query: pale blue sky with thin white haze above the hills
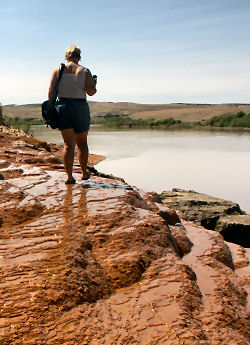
143 51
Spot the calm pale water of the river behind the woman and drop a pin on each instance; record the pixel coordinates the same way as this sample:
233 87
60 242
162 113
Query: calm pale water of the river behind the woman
215 163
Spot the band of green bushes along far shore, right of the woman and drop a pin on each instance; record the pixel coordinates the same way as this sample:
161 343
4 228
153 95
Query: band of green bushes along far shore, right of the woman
239 120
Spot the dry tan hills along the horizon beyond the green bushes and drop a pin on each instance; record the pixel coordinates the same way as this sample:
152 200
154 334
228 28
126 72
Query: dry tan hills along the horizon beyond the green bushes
179 111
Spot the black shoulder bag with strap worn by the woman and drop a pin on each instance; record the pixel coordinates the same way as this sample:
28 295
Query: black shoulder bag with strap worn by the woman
49 112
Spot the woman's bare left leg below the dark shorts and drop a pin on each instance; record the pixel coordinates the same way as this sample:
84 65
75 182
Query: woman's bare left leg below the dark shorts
68 151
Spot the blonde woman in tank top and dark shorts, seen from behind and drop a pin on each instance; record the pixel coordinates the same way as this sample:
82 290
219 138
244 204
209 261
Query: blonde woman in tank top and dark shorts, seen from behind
73 109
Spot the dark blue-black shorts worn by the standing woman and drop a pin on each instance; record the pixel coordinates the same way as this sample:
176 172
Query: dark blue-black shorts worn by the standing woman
74 113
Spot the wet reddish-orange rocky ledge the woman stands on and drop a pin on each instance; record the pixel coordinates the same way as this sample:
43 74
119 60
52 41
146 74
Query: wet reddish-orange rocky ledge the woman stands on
102 262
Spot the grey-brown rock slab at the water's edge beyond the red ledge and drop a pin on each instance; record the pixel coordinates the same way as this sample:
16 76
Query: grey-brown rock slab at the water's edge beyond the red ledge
213 213
